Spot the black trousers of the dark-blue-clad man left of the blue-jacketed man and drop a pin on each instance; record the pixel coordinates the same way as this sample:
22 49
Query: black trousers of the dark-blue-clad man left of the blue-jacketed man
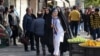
31 39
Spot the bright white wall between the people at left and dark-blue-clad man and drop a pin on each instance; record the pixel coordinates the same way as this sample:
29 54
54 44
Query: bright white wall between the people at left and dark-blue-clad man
21 6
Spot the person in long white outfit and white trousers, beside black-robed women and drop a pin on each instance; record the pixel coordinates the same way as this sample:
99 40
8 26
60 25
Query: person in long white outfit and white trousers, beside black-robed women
58 32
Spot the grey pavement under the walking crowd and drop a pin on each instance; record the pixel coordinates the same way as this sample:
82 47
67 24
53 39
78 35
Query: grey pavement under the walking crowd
19 50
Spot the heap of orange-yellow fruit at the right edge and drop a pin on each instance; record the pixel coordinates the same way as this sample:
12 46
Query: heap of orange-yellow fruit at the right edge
91 43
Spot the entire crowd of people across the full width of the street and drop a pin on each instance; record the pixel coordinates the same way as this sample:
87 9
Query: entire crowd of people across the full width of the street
49 27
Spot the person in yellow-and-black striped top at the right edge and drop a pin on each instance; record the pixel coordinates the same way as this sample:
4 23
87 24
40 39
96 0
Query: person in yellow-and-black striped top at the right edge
95 24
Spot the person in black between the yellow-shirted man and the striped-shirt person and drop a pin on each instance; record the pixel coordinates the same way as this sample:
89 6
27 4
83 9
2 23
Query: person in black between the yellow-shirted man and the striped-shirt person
87 24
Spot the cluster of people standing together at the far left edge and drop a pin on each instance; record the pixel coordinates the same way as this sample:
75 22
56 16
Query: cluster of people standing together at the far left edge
10 21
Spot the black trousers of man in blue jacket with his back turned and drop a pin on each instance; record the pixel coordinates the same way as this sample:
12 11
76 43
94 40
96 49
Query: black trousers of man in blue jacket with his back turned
39 39
